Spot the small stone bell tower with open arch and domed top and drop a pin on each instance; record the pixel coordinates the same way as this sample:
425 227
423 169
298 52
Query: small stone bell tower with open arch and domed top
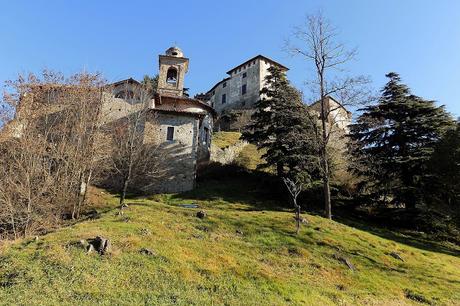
173 67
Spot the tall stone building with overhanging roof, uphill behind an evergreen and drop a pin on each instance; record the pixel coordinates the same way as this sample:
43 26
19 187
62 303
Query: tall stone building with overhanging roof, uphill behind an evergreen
236 95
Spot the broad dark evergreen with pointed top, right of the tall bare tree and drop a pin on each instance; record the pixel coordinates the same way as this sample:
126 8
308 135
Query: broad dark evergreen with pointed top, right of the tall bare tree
394 140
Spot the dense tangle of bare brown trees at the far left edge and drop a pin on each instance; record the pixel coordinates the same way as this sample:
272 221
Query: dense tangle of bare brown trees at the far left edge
50 150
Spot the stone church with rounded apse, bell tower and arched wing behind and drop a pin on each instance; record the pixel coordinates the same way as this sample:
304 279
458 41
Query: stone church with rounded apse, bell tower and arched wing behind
179 125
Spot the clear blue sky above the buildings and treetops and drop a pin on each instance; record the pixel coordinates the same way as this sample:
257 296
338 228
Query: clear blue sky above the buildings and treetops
418 39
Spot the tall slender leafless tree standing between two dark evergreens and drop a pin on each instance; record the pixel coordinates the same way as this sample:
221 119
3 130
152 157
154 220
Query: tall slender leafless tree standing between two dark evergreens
316 41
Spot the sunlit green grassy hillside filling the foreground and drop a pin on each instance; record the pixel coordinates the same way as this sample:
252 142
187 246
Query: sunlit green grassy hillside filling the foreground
244 253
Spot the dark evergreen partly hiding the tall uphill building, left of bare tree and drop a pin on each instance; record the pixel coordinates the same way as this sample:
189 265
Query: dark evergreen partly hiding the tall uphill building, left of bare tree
282 127
